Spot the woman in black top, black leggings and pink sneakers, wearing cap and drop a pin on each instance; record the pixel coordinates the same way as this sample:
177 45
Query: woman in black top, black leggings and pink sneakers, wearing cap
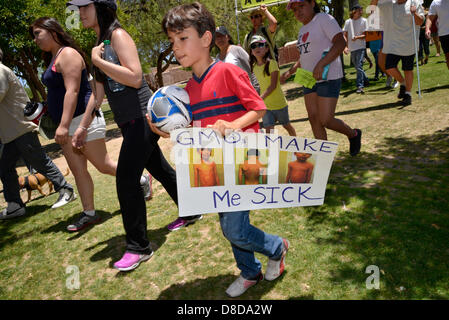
128 102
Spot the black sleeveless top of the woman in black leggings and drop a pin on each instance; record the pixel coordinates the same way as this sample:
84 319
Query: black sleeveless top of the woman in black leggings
128 104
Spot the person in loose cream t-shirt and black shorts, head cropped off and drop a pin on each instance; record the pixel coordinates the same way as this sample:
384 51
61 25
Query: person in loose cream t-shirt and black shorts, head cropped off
398 40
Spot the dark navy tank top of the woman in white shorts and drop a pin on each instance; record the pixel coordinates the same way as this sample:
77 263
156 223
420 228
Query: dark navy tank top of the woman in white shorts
54 82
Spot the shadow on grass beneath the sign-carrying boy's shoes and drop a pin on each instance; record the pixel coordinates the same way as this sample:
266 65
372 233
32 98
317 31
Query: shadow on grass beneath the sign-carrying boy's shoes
214 288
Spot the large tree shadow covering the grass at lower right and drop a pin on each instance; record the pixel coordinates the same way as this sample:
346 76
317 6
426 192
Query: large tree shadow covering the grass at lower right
399 222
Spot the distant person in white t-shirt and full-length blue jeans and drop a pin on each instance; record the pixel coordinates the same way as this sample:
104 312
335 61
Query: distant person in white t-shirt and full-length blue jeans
354 33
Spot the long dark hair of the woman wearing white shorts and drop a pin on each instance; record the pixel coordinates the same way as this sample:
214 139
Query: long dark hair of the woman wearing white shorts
58 34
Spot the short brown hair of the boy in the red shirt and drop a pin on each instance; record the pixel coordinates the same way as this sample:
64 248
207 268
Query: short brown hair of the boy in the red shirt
190 15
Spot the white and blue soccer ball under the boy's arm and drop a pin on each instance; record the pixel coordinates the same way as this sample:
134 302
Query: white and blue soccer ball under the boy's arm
169 108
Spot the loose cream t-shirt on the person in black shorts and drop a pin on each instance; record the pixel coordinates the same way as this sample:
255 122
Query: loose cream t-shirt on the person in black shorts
398 27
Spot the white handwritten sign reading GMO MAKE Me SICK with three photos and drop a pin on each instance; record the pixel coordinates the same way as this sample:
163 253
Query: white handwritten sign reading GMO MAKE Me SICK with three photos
246 171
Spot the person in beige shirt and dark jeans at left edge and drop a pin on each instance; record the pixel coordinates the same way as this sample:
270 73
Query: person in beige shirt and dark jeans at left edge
19 139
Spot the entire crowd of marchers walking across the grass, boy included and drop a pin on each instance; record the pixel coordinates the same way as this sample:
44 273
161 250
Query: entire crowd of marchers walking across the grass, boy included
249 74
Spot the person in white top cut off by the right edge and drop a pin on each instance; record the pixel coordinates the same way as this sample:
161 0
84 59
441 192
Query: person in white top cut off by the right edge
440 9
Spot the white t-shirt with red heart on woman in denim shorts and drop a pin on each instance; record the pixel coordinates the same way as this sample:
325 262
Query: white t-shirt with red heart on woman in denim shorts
316 37
